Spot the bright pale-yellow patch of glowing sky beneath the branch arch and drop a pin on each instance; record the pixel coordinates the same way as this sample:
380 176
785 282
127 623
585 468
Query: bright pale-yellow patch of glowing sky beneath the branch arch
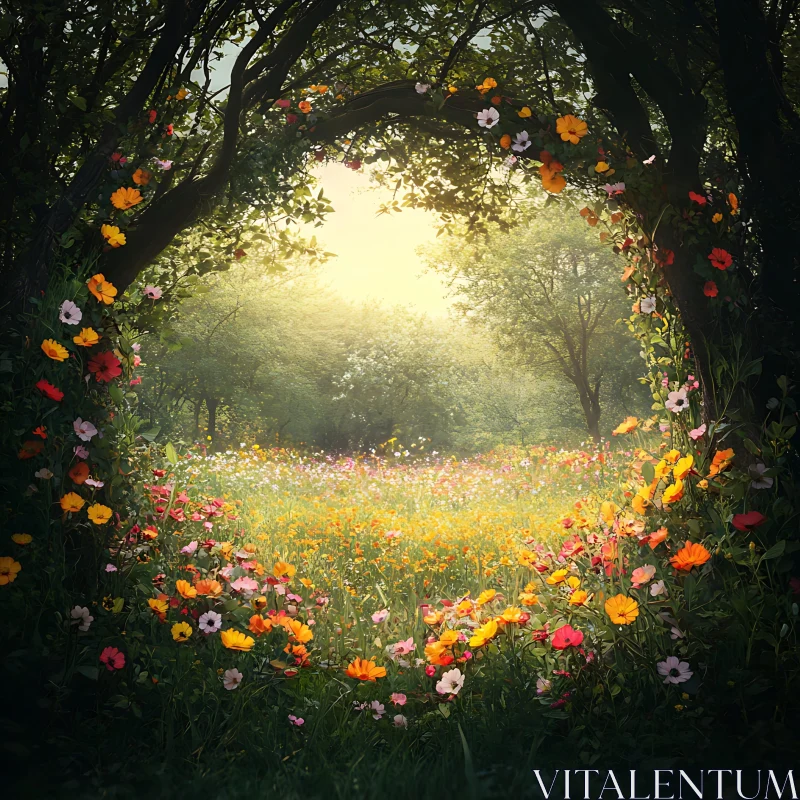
376 257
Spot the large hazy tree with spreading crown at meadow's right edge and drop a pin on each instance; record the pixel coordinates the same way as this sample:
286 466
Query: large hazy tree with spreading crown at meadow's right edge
550 294
